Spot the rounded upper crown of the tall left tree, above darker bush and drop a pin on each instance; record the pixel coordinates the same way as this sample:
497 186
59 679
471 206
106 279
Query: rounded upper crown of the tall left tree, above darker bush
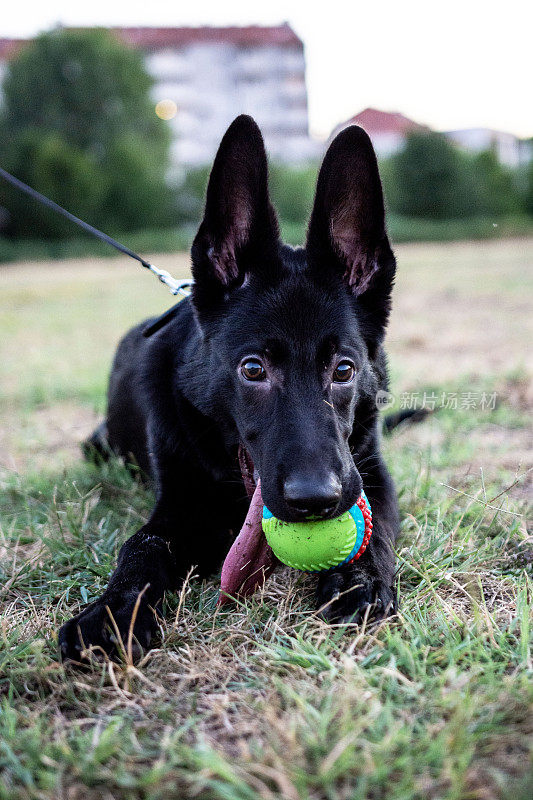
83 84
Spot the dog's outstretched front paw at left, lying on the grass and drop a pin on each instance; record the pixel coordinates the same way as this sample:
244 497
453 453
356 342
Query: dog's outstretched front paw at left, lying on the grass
103 628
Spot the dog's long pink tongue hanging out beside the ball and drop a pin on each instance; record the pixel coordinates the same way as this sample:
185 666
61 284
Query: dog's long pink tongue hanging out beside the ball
250 559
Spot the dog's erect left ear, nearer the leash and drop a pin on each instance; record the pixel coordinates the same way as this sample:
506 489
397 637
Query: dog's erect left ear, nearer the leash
239 231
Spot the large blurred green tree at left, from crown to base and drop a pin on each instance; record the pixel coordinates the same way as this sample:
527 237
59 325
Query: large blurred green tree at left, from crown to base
78 125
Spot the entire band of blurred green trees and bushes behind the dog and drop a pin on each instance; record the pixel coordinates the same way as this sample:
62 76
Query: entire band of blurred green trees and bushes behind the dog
78 124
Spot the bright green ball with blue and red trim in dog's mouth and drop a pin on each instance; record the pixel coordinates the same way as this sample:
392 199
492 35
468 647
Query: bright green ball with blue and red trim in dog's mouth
317 545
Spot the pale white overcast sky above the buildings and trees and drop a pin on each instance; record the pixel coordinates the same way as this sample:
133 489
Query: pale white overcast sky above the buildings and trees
453 64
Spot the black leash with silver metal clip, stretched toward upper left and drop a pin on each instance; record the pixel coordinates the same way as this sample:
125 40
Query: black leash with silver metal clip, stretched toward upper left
175 287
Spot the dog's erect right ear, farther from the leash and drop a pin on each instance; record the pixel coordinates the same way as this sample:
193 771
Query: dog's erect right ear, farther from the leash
347 226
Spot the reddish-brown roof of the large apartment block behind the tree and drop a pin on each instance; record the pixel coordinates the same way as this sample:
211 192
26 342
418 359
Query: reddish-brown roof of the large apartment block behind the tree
160 38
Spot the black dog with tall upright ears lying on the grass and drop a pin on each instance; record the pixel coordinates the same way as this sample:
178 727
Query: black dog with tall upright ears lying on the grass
277 353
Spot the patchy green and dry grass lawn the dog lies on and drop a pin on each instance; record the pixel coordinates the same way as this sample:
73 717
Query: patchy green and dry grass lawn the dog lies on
264 700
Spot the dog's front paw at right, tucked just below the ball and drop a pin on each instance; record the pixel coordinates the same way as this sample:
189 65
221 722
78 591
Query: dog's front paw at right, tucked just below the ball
348 594
